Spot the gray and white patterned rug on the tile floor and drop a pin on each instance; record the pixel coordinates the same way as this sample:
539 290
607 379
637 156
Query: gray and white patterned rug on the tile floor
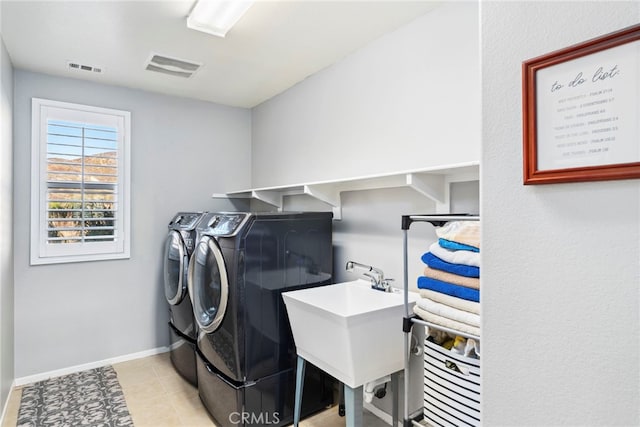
89 398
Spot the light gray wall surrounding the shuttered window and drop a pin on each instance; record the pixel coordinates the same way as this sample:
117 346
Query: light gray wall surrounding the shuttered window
71 314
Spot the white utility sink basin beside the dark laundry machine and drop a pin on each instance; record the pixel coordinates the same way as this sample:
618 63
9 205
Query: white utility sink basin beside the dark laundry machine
349 330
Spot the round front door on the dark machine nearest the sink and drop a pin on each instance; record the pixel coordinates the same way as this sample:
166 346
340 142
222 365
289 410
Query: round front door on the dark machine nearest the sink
208 284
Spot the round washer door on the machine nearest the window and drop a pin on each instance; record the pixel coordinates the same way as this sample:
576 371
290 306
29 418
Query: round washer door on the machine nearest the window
175 264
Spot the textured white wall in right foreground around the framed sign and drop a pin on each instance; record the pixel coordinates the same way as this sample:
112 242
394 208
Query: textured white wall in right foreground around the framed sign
561 263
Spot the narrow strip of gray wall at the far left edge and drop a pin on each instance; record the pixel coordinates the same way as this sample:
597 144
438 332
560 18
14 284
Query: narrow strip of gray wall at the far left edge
6 226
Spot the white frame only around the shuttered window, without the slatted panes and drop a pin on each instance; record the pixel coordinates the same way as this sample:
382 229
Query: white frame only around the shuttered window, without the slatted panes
46 253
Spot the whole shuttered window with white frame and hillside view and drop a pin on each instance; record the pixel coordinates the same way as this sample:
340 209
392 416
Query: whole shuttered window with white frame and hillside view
80 183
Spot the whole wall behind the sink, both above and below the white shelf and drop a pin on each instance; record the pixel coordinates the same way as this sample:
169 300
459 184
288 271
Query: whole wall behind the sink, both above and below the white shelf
408 100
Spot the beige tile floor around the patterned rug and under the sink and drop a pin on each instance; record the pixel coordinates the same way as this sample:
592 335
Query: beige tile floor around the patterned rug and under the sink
158 397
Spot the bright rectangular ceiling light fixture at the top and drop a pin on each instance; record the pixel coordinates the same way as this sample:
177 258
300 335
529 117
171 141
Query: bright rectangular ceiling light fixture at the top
216 17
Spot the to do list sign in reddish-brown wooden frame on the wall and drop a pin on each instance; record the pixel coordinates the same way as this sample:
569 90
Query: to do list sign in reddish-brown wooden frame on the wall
581 111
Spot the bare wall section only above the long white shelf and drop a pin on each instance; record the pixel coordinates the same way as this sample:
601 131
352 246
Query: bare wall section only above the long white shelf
408 100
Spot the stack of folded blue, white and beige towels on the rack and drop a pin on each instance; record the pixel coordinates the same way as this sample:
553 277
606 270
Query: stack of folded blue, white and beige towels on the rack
450 286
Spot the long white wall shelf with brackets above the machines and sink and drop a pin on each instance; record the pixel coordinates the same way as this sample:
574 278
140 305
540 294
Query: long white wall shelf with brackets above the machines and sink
433 183
